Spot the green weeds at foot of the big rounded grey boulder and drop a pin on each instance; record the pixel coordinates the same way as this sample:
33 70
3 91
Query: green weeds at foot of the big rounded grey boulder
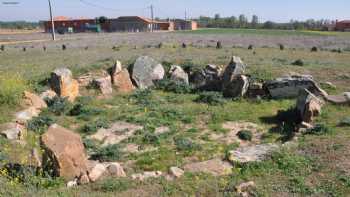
173 86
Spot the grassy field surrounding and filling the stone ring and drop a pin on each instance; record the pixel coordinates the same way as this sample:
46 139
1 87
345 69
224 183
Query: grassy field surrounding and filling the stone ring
316 165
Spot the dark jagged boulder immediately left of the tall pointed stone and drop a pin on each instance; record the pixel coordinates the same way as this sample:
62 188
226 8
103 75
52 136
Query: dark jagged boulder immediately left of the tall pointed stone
207 79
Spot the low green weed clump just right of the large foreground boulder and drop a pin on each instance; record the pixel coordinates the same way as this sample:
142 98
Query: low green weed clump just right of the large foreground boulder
108 153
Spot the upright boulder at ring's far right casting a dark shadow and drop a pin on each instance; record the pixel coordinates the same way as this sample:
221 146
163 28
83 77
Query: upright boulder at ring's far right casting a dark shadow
308 106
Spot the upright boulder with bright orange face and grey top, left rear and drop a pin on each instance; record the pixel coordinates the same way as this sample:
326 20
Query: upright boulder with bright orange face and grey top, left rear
63 83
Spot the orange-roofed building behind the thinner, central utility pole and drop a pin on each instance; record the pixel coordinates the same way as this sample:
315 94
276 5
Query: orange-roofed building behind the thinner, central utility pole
139 24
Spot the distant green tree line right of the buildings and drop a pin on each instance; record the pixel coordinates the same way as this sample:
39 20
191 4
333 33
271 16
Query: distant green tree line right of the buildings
243 21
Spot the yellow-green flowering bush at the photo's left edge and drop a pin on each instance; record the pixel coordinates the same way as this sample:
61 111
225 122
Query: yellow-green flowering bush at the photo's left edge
12 88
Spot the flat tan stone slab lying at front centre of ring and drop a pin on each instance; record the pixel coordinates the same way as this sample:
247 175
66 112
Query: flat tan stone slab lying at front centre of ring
216 167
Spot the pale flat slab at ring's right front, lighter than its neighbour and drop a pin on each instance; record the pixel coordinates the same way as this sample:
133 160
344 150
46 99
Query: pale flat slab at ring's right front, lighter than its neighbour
254 153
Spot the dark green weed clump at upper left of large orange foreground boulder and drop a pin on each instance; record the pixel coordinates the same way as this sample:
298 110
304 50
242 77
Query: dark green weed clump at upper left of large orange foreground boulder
41 123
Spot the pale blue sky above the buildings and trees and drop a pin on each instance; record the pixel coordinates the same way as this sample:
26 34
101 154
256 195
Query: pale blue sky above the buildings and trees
276 10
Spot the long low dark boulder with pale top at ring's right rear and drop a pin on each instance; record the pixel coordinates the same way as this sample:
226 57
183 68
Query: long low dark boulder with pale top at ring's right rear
290 86
